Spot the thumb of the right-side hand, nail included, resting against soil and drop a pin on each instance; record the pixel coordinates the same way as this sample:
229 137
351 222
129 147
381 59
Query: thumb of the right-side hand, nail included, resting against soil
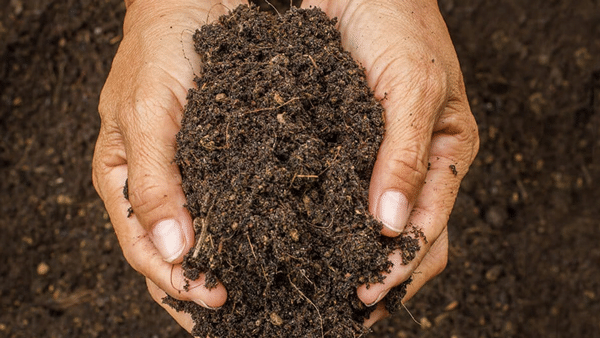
412 107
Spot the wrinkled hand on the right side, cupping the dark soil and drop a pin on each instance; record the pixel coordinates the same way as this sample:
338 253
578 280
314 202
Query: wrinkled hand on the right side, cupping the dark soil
431 136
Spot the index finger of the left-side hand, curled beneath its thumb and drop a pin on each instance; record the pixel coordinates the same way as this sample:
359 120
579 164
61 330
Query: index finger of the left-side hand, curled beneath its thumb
141 253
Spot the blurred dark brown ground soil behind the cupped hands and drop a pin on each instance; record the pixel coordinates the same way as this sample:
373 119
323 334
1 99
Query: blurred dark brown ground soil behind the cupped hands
524 259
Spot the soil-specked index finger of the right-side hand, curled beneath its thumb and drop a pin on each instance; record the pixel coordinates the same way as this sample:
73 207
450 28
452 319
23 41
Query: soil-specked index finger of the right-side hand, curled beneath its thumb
453 148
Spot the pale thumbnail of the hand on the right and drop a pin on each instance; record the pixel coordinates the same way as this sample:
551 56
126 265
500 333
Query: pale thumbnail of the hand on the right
393 210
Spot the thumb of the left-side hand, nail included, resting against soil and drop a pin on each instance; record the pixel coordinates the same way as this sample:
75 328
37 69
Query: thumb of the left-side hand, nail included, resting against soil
154 181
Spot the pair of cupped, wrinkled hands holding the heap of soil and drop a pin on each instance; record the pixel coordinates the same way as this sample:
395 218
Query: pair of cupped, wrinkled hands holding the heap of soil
409 59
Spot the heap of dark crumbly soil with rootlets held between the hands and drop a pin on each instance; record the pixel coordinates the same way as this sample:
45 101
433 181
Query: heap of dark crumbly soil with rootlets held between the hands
276 150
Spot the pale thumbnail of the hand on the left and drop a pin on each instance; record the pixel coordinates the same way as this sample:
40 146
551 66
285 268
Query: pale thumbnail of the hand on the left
168 238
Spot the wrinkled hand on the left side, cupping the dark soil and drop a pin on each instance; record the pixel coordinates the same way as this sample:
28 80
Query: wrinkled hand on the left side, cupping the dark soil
141 106
